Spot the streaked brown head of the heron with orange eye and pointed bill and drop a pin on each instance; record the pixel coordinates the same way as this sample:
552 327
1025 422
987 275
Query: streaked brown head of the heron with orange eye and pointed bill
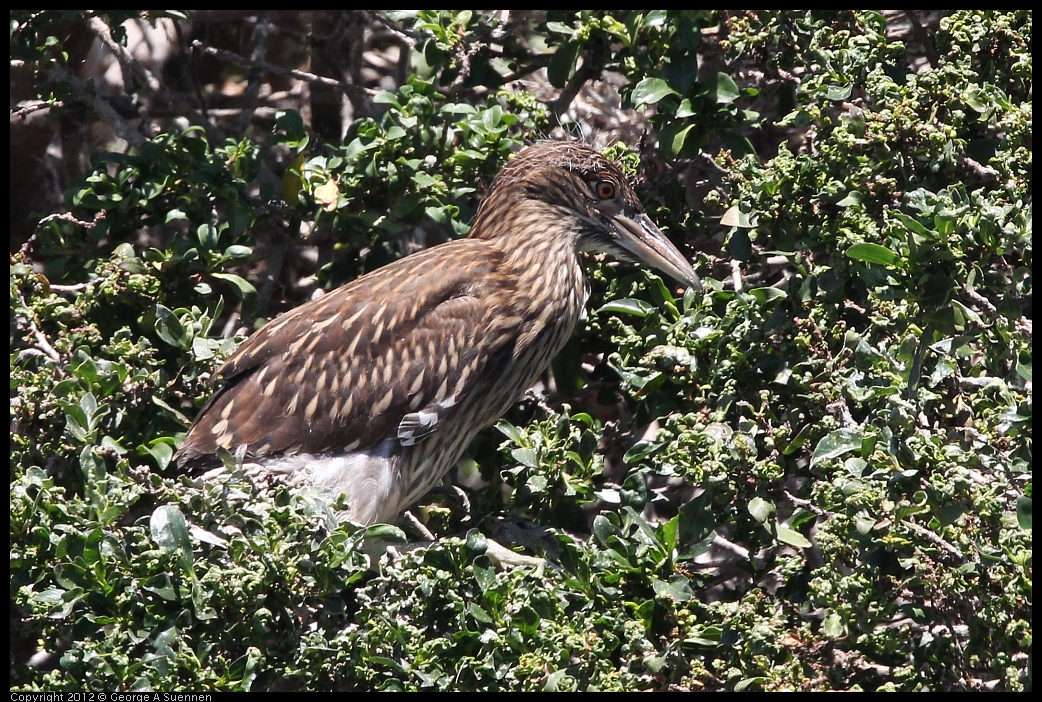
588 193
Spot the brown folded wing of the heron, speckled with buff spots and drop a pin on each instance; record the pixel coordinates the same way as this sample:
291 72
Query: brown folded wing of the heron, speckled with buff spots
389 355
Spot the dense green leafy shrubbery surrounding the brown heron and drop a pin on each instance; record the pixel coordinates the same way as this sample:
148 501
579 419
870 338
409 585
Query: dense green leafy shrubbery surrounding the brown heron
813 475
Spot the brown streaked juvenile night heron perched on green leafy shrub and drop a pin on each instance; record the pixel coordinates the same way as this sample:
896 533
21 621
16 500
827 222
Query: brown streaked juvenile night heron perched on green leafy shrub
377 389
